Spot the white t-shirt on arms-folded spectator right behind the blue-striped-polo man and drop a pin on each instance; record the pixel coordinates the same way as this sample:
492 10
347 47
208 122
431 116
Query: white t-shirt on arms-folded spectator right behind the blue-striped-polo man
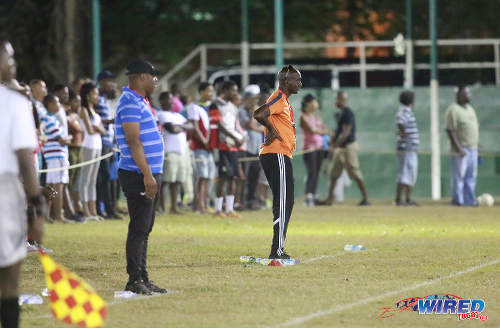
173 142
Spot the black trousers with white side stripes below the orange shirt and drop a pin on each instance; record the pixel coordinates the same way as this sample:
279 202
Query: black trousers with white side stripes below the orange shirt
279 174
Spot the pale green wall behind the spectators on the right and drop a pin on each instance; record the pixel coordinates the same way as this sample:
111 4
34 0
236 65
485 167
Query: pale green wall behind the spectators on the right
375 110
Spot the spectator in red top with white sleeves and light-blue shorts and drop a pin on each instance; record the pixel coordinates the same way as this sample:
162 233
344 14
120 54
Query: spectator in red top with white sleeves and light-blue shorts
204 165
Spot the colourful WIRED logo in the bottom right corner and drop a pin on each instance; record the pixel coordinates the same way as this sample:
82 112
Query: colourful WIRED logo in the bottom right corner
440 304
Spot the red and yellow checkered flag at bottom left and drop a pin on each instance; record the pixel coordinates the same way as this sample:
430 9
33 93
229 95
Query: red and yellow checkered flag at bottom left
72 300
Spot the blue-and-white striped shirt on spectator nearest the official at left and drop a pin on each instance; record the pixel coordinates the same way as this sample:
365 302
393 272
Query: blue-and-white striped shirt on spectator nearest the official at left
52 129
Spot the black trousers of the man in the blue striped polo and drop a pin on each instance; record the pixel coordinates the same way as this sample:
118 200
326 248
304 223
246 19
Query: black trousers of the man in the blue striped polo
142 219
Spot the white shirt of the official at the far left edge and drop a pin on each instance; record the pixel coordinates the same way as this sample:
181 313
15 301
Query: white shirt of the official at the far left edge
17 129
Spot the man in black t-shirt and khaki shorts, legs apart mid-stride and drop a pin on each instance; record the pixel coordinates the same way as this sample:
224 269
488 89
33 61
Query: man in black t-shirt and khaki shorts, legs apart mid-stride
345 150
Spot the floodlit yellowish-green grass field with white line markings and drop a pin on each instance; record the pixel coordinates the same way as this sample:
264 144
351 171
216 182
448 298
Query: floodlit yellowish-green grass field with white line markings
410 252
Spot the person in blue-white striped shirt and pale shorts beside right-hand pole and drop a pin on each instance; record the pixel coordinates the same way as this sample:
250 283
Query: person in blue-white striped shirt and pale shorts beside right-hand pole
407 142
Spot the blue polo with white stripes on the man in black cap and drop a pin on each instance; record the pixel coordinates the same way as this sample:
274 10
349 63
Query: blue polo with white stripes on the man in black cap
132 107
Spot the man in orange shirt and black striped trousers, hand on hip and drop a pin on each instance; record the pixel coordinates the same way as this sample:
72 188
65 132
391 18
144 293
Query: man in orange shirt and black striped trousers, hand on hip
276 153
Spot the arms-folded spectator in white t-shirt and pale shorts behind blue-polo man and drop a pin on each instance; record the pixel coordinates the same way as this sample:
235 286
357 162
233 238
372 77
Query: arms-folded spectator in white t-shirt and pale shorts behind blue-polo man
175 142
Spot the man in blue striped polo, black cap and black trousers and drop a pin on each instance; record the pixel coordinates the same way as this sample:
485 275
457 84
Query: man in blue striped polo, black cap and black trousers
140 169
